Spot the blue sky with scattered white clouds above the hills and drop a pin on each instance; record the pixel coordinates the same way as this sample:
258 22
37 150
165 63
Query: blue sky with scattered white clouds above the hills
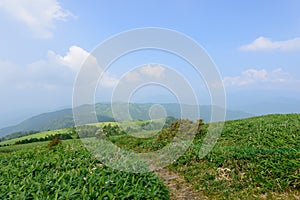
255 46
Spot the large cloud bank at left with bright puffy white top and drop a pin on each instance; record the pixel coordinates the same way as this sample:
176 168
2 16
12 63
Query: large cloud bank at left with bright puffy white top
55 72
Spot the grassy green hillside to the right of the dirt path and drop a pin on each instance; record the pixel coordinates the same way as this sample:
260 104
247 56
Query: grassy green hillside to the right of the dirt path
254 158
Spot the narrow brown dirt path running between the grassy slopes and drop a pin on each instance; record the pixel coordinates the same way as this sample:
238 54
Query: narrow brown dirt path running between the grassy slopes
178 187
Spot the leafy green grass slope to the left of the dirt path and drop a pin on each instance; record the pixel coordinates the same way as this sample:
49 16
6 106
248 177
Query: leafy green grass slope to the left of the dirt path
69 172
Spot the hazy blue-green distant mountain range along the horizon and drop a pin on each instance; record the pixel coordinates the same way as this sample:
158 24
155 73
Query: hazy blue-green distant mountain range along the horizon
64 118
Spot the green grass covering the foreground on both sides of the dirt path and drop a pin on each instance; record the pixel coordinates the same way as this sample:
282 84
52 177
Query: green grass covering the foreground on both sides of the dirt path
255 158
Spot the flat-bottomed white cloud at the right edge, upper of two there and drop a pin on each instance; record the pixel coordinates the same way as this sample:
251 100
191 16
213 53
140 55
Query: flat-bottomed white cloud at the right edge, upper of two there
263 43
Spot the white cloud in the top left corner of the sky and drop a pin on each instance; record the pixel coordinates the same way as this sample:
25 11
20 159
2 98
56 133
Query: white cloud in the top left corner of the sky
38 16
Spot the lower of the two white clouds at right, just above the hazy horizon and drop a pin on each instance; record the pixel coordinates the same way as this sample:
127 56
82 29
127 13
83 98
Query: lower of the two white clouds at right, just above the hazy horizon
252 76
